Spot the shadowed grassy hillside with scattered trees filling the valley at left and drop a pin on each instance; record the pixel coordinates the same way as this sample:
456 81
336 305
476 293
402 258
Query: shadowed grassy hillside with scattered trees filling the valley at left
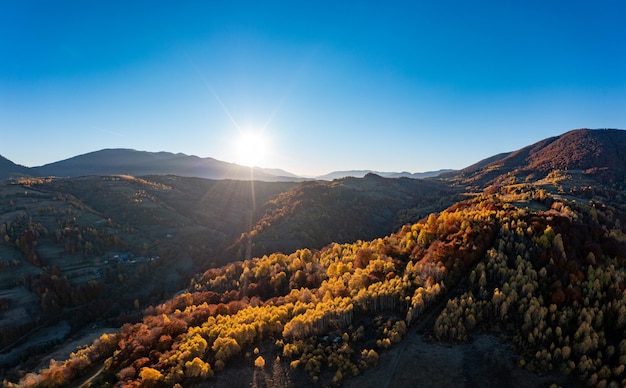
85 250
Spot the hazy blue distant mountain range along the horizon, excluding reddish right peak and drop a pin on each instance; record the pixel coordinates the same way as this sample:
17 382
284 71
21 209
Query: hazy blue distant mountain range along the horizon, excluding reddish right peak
139 163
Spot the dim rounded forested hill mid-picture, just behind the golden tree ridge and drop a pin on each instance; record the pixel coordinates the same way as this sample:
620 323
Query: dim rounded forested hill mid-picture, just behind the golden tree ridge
314 214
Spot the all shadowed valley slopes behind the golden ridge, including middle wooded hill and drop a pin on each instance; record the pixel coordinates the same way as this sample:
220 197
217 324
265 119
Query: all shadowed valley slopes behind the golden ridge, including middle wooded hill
87 244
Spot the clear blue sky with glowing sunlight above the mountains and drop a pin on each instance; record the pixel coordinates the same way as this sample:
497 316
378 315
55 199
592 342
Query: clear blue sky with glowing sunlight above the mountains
329 85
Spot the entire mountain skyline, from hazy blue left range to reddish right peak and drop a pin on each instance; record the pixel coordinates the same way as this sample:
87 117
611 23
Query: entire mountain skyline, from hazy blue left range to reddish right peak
585 151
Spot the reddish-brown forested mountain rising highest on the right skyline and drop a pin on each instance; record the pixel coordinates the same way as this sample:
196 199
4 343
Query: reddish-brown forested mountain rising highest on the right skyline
588 154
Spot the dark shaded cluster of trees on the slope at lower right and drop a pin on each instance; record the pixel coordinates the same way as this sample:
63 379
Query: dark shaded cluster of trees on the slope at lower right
555 283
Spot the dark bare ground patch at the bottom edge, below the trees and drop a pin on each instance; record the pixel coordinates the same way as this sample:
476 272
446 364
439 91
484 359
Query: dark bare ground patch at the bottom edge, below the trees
484 362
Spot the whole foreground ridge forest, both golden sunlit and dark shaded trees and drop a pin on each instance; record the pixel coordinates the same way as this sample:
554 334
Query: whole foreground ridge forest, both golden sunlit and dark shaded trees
551 279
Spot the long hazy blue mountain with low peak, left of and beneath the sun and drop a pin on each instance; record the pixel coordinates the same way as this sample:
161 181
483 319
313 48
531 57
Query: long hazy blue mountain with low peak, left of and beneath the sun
138 163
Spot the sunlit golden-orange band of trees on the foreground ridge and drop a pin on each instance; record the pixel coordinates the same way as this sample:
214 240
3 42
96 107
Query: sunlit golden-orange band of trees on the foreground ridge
329 310
